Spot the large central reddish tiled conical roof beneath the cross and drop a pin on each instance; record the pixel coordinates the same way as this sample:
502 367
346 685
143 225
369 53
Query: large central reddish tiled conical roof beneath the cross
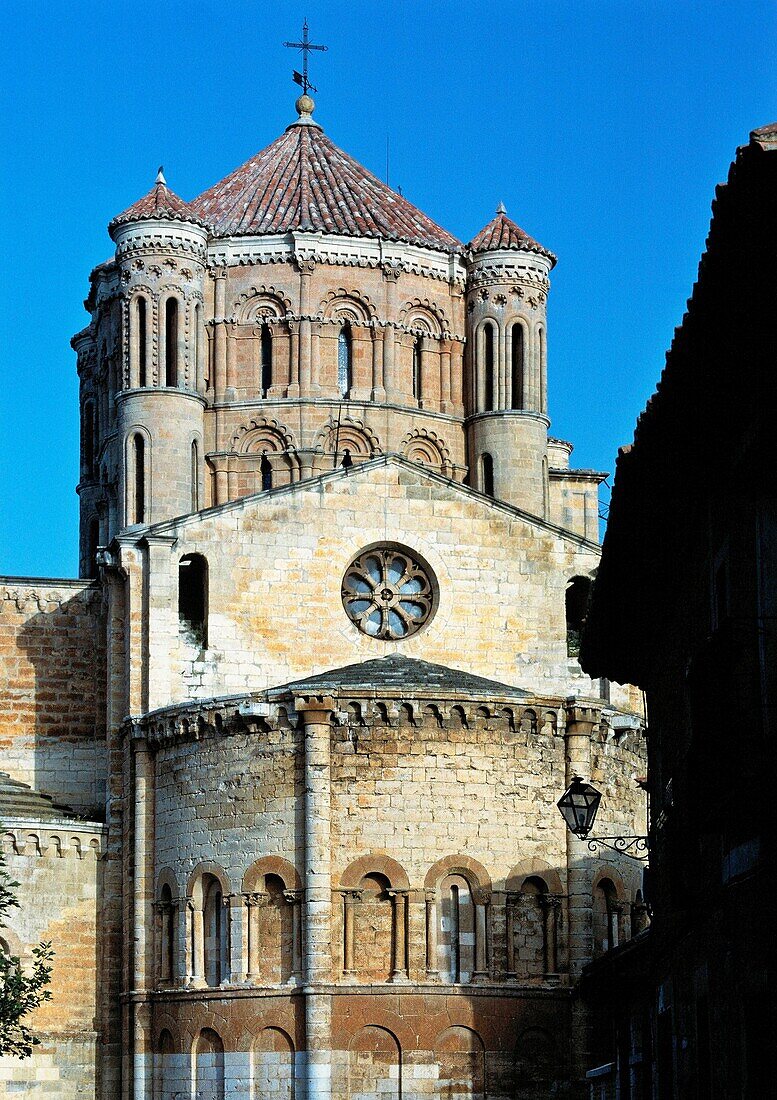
303 181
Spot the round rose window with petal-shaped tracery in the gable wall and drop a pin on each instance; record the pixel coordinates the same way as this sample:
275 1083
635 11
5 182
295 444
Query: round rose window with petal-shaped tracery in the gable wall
388 593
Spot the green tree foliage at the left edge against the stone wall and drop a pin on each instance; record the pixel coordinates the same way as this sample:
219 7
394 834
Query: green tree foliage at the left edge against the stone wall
21 991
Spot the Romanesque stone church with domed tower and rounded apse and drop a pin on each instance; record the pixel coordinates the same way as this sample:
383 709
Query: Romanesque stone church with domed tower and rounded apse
281 766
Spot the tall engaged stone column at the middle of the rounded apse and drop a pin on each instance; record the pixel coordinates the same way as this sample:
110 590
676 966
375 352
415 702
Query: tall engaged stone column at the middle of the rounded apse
316 716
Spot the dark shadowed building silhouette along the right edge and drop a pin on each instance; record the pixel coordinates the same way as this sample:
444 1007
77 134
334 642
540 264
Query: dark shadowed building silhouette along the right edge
685 606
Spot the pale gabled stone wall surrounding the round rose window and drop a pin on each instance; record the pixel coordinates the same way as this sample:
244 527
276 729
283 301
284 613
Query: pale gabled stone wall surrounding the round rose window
276 566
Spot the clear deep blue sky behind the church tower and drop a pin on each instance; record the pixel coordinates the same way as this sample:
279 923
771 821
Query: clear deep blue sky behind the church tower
603 126
